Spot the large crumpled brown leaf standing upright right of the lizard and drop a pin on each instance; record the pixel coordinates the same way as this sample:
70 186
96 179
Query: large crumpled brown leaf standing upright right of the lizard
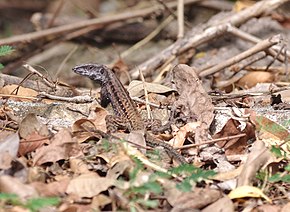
193 100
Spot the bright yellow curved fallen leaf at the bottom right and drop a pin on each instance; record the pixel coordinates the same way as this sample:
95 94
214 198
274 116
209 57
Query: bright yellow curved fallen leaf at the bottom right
248 191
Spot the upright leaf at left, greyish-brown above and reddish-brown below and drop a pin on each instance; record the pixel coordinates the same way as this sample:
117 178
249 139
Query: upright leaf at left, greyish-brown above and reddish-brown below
33 133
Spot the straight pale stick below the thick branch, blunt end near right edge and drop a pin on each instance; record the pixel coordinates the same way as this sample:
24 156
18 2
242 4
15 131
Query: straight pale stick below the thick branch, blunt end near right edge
263 45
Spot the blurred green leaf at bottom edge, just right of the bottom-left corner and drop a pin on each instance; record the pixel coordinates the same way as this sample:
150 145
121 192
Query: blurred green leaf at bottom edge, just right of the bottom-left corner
38 203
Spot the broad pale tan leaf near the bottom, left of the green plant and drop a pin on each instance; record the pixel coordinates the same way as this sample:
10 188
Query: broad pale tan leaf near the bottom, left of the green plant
89 185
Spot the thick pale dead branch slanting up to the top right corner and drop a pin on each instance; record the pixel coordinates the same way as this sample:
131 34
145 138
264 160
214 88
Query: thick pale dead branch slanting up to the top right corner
216 27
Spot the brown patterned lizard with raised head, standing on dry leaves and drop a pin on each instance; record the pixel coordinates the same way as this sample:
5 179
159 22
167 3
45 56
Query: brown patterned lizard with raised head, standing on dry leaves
126 116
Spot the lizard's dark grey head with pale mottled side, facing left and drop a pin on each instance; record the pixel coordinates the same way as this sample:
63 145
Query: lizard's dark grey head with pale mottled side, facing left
96 72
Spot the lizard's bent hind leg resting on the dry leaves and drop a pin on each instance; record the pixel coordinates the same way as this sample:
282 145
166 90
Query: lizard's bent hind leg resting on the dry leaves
115 123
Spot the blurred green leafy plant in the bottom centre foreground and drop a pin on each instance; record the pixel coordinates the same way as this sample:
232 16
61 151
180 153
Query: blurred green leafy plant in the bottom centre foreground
139 194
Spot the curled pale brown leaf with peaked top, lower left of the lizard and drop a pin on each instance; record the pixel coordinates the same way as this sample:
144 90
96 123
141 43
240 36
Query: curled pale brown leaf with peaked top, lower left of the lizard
61 147
